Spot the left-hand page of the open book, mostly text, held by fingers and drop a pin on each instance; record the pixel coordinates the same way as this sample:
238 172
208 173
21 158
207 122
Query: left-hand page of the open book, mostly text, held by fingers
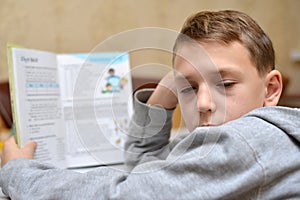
37 103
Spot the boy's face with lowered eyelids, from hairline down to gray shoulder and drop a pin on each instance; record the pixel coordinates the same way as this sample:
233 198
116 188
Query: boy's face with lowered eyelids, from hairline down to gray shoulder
216 83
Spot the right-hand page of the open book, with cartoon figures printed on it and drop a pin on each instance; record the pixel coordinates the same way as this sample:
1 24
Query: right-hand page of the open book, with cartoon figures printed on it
96 116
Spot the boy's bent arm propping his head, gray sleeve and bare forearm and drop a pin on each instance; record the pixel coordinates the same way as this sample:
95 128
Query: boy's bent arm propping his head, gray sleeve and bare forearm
151 123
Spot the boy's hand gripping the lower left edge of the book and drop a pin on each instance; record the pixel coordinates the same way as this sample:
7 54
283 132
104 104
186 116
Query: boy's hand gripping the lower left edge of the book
11 151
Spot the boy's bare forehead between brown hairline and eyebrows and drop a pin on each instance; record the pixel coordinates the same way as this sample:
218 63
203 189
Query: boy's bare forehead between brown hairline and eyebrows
211 57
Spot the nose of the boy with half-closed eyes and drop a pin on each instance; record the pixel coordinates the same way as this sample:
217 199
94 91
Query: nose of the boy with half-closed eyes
204 100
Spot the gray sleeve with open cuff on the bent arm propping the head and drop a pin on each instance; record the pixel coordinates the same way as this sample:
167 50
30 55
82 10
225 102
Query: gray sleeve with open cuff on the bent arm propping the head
149 131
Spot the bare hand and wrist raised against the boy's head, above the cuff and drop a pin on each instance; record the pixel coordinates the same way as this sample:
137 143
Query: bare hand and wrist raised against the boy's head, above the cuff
165 94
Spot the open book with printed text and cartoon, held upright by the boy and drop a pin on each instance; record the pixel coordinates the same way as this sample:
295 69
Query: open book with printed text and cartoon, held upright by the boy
75 106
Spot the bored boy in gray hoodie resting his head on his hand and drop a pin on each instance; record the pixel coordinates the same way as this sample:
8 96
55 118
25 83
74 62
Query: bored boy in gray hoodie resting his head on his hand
224 68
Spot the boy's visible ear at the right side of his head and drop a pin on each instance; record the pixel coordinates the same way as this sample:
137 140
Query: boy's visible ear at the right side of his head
273 88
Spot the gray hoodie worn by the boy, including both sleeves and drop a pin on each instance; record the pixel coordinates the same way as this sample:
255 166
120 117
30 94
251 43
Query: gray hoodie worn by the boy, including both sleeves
254 157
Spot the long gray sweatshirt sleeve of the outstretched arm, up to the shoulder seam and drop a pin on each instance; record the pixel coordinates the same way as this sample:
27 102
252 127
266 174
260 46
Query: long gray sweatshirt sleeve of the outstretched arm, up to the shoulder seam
189 172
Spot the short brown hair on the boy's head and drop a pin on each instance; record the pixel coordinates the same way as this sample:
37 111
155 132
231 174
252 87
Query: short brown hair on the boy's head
227 26
